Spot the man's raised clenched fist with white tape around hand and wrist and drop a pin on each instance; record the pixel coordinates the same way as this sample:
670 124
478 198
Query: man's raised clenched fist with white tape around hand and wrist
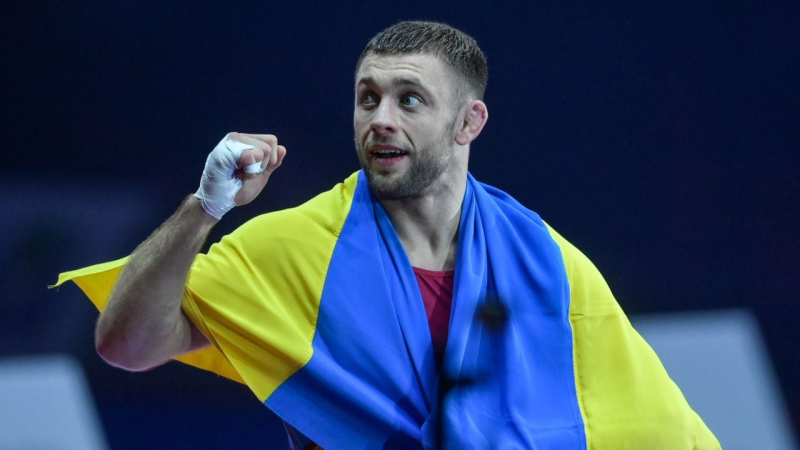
237 170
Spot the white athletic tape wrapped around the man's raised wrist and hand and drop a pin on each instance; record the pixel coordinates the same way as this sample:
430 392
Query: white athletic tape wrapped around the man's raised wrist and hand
219 184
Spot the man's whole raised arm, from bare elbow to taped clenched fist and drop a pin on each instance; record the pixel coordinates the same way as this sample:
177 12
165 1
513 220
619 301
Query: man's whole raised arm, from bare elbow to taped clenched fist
143 325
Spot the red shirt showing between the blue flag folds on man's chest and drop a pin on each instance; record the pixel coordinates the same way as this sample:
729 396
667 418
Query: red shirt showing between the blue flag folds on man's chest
437 294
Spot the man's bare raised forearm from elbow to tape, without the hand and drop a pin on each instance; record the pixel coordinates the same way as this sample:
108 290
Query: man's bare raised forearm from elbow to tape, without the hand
143 325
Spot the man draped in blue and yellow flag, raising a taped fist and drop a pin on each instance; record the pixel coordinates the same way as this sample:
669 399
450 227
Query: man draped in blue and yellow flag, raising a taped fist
321 309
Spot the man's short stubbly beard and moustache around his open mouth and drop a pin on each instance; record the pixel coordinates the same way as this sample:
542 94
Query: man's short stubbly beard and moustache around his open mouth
426 166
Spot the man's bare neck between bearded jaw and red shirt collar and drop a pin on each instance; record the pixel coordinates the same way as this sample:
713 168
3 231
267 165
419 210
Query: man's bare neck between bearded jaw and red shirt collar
428 226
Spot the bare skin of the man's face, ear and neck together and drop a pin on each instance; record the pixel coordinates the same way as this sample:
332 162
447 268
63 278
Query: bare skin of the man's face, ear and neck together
411 102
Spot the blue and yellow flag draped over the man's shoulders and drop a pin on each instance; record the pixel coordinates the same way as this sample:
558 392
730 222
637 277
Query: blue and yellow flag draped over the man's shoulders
317 310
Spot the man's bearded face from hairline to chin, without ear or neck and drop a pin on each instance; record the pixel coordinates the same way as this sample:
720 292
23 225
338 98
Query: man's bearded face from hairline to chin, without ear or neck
405 122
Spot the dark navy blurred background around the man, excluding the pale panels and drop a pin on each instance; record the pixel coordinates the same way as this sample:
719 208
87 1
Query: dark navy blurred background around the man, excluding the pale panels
661 139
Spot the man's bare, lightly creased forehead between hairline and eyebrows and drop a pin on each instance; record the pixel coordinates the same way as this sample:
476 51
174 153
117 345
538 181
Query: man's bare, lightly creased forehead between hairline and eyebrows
424 69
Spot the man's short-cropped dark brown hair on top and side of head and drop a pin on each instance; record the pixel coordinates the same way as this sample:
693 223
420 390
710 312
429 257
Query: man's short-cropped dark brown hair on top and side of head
454 47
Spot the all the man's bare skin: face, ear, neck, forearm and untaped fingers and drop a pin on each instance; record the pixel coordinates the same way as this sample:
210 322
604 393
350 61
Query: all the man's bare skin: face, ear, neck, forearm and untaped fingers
143 325
